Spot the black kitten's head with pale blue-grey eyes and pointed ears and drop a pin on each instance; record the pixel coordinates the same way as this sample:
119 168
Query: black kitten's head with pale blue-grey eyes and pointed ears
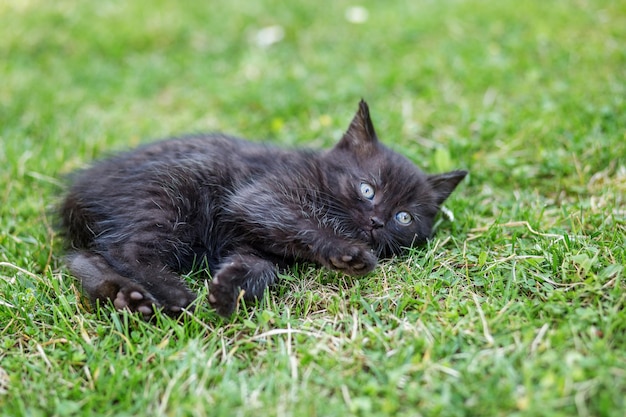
389 203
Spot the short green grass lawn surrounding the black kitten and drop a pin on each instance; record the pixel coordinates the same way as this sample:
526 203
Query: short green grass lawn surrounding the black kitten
515 308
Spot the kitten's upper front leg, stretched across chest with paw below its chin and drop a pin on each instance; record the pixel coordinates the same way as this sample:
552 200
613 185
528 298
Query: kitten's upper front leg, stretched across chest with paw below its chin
294 225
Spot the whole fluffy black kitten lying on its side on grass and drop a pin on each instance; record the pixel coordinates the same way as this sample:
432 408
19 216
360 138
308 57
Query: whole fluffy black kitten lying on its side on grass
136 221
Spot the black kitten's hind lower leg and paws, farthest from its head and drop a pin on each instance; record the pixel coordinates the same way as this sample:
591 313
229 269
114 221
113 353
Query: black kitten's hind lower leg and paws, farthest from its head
142 291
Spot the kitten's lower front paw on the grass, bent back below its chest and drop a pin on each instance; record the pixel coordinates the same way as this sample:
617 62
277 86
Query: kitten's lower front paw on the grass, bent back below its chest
240 272
